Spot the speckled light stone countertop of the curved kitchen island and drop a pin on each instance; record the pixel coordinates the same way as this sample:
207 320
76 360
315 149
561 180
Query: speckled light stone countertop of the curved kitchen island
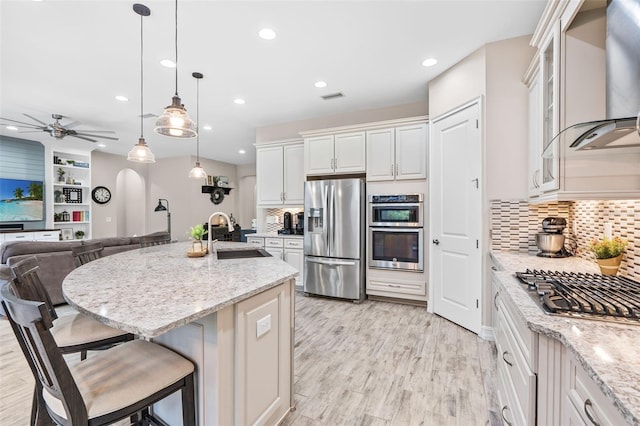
152 290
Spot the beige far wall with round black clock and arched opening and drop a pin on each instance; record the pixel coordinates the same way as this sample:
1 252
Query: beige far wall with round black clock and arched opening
167 178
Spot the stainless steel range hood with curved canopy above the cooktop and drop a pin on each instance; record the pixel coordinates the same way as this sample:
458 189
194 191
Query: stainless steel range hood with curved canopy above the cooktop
623 86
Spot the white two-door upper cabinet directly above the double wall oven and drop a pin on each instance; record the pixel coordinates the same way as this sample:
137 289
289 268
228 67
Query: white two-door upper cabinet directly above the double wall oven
397 154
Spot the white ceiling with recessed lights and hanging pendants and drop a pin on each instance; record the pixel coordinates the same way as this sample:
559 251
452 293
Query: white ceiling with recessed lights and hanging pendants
73 58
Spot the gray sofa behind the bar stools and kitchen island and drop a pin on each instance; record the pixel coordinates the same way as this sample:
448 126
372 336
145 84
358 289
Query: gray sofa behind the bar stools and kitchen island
55 259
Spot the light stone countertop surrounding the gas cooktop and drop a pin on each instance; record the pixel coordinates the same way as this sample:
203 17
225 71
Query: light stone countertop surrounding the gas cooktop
608 352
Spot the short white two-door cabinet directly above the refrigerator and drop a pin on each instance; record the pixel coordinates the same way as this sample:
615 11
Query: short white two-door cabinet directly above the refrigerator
335 154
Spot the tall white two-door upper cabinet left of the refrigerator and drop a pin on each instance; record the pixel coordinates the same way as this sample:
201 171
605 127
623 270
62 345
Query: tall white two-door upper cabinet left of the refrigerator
280 174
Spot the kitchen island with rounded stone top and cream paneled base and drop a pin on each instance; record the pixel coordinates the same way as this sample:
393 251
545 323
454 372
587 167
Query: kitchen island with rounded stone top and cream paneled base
233 318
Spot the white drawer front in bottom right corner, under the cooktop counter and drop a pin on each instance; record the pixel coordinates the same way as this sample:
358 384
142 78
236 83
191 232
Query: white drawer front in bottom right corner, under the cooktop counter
585 400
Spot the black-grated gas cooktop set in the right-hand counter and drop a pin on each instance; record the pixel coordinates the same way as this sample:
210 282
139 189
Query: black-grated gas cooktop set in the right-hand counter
583 295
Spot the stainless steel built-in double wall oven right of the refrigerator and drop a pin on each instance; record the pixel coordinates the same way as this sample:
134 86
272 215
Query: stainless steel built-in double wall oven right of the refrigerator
396 234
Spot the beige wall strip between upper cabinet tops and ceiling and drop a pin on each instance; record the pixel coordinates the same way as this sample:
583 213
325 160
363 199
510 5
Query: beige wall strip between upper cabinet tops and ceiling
291 130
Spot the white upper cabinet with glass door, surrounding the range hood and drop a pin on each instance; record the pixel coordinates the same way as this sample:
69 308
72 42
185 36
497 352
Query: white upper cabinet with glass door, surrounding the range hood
567 86
